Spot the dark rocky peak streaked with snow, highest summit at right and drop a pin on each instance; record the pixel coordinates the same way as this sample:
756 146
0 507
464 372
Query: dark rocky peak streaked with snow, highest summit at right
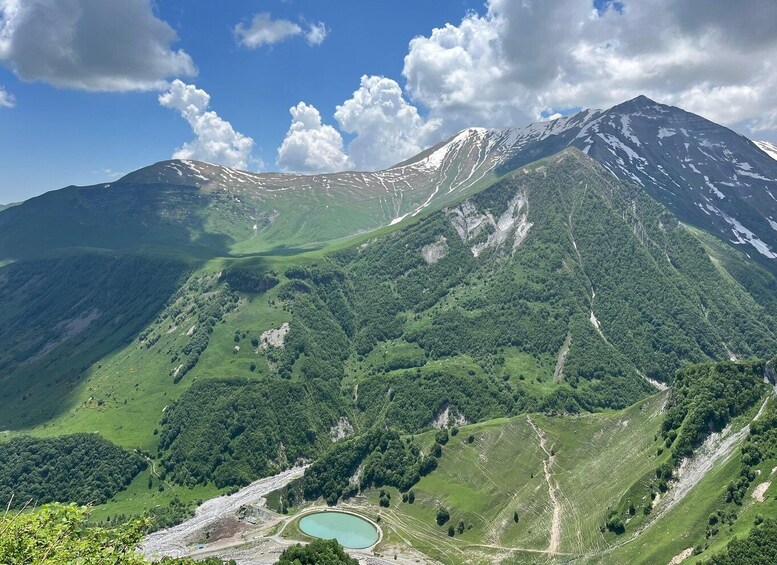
704 173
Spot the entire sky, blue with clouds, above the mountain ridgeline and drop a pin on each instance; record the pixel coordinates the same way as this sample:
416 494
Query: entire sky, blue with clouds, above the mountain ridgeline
496 63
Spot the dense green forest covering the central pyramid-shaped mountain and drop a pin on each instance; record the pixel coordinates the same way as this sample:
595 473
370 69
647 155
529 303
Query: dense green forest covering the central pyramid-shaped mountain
470 313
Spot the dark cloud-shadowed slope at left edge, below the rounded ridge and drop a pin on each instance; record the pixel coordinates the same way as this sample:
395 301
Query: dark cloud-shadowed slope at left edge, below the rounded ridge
60 316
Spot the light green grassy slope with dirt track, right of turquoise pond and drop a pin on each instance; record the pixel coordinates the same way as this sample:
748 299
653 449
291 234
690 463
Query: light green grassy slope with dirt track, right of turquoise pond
581 489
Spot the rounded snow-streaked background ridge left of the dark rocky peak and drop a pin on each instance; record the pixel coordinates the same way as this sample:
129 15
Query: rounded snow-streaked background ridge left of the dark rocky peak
214 211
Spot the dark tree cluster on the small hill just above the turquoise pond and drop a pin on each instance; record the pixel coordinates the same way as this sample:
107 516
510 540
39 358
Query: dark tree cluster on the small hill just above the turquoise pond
387 461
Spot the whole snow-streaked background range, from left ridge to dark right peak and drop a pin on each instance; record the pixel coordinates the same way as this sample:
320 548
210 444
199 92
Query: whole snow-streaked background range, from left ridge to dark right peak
707 175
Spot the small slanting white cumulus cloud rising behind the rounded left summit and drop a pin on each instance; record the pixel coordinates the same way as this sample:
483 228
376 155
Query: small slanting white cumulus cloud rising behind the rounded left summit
216 141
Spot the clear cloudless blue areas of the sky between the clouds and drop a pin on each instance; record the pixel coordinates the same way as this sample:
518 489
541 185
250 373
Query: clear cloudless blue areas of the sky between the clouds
54 136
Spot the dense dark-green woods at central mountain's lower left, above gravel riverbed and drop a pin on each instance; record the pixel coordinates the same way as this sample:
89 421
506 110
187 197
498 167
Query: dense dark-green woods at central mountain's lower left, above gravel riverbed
251 428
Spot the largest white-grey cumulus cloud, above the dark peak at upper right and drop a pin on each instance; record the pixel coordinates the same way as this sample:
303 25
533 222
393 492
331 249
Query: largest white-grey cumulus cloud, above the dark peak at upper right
521 60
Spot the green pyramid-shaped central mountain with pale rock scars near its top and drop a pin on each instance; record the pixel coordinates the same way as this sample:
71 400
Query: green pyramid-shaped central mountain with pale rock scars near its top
558 288
